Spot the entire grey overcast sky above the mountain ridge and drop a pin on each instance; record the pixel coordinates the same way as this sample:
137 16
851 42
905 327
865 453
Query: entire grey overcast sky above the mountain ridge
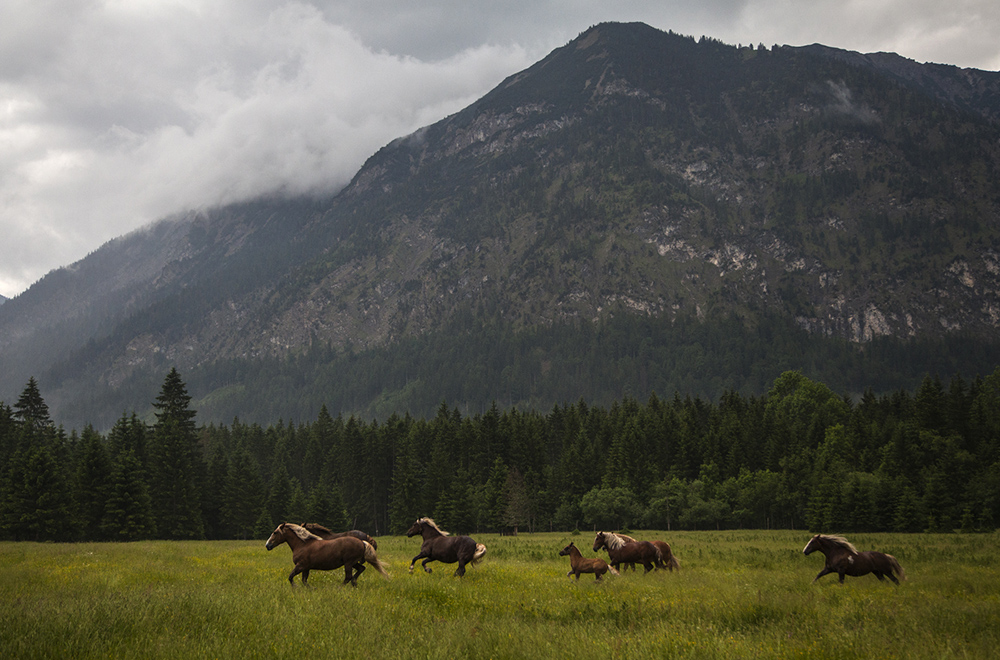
116 113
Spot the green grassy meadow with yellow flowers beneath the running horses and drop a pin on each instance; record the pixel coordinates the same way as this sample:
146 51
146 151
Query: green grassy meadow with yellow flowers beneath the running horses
739 594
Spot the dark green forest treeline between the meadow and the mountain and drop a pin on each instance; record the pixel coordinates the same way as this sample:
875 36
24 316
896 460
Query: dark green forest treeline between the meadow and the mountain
799 457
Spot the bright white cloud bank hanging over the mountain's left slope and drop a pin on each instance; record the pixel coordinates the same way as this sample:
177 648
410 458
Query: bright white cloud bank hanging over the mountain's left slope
151 108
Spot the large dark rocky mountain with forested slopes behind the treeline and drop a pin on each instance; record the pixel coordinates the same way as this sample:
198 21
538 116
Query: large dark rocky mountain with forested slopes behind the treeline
638 211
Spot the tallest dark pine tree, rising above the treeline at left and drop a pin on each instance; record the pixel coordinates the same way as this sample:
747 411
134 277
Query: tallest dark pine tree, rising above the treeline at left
175 464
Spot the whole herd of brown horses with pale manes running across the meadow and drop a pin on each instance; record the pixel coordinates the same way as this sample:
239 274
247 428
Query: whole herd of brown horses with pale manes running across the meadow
315 547
